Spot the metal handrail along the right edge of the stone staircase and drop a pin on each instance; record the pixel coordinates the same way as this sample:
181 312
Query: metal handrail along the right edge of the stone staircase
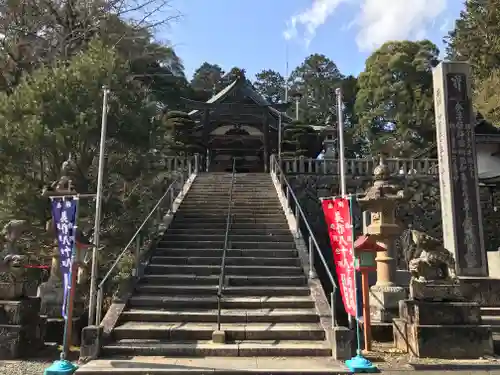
313 243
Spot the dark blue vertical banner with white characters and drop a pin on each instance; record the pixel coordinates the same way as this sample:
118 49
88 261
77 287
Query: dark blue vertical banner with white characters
64 211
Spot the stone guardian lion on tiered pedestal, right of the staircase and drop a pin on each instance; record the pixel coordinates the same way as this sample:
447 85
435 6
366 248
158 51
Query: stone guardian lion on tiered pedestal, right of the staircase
436 321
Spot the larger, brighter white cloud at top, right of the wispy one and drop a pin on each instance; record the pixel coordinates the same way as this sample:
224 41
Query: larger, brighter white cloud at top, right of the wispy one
382 20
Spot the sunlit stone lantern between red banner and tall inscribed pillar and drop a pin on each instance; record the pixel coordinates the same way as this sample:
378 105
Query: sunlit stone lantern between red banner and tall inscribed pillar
381 200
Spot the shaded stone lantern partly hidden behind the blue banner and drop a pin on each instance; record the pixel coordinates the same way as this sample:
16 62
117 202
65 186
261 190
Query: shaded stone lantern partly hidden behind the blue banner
51 292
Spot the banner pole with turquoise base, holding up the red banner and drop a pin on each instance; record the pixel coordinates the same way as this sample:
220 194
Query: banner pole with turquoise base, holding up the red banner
358 363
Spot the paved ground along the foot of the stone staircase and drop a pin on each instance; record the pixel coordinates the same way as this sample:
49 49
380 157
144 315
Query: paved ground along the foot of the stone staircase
388 360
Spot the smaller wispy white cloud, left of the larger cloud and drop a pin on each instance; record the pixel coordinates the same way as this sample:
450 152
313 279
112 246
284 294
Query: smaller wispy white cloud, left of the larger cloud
310 19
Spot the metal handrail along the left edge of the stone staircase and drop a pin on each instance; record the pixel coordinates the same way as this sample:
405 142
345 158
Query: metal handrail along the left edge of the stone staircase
135 238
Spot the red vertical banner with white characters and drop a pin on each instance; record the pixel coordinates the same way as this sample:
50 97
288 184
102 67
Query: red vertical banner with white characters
338 218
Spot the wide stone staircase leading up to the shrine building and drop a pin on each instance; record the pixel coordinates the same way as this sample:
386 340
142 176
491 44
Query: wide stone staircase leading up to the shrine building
267 309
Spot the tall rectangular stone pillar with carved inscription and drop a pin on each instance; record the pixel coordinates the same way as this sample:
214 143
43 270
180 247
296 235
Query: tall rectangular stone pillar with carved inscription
458 178
